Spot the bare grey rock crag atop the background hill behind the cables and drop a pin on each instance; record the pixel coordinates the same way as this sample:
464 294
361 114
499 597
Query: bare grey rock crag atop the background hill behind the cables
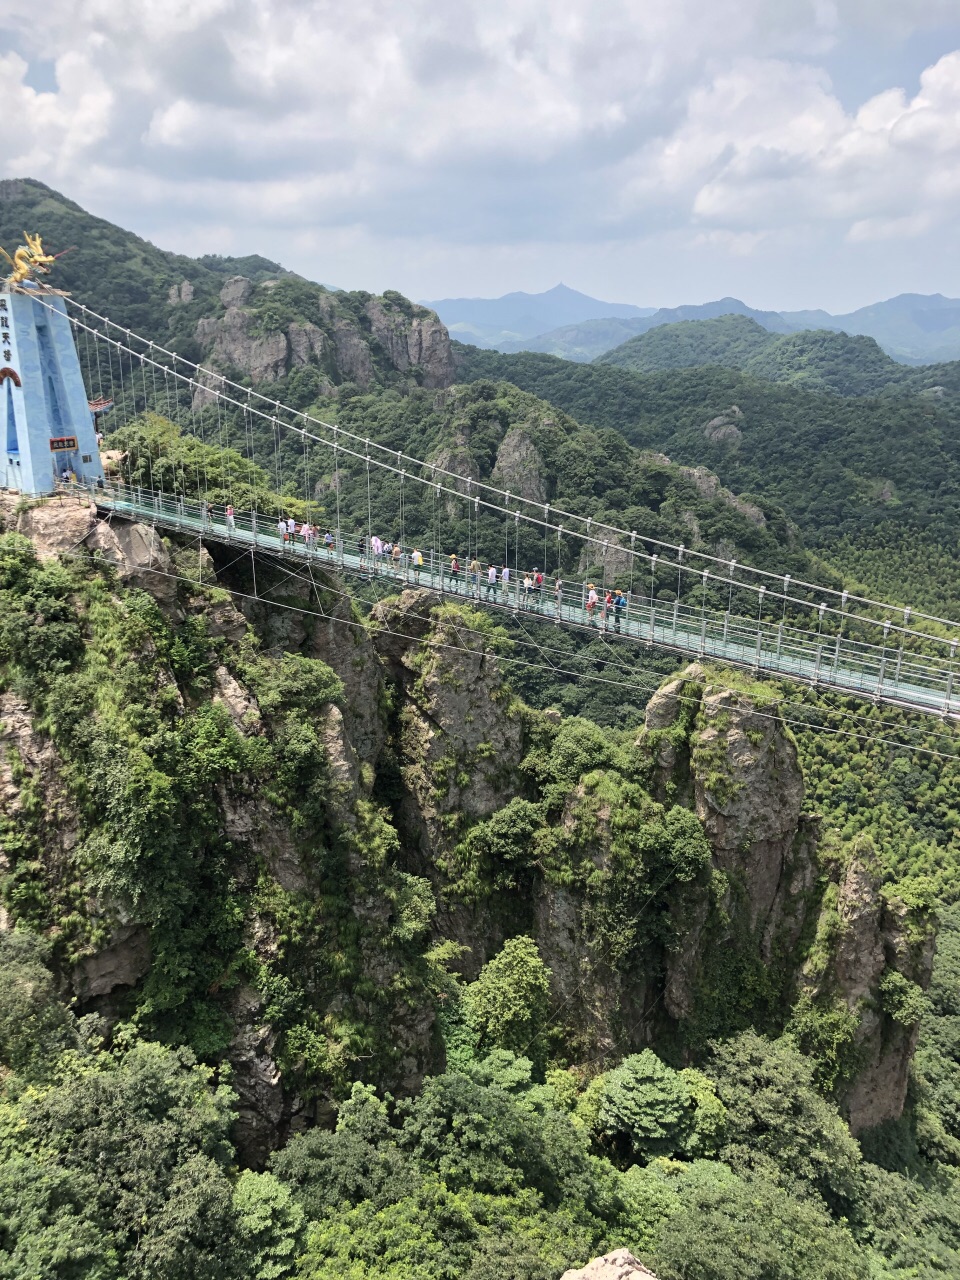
368 342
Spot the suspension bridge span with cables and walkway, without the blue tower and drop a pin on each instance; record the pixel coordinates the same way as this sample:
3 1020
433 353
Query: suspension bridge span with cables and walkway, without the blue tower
335 496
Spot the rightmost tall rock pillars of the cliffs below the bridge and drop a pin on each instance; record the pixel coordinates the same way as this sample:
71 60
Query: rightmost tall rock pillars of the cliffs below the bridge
799 918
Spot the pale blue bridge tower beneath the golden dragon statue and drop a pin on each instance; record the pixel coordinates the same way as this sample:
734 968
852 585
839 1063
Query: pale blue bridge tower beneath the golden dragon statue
47 422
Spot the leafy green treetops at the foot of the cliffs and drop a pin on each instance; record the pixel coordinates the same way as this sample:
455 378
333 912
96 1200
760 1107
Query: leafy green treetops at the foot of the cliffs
118 1164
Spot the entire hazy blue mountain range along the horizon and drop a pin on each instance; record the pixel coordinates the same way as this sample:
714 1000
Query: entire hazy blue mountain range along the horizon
912 328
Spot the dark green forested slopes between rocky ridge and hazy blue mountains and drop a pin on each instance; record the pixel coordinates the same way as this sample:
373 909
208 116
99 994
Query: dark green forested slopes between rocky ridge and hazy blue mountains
854 473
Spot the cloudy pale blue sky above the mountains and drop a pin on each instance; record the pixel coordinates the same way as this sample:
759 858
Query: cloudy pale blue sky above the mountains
790 153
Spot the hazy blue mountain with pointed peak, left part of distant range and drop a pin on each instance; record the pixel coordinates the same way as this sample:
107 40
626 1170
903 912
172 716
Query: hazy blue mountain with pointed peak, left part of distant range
520 317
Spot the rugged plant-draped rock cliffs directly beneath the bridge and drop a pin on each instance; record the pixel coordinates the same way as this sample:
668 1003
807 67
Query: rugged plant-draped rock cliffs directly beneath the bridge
333 798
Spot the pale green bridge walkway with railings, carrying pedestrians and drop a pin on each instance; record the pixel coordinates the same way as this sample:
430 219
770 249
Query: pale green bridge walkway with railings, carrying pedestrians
764 643
